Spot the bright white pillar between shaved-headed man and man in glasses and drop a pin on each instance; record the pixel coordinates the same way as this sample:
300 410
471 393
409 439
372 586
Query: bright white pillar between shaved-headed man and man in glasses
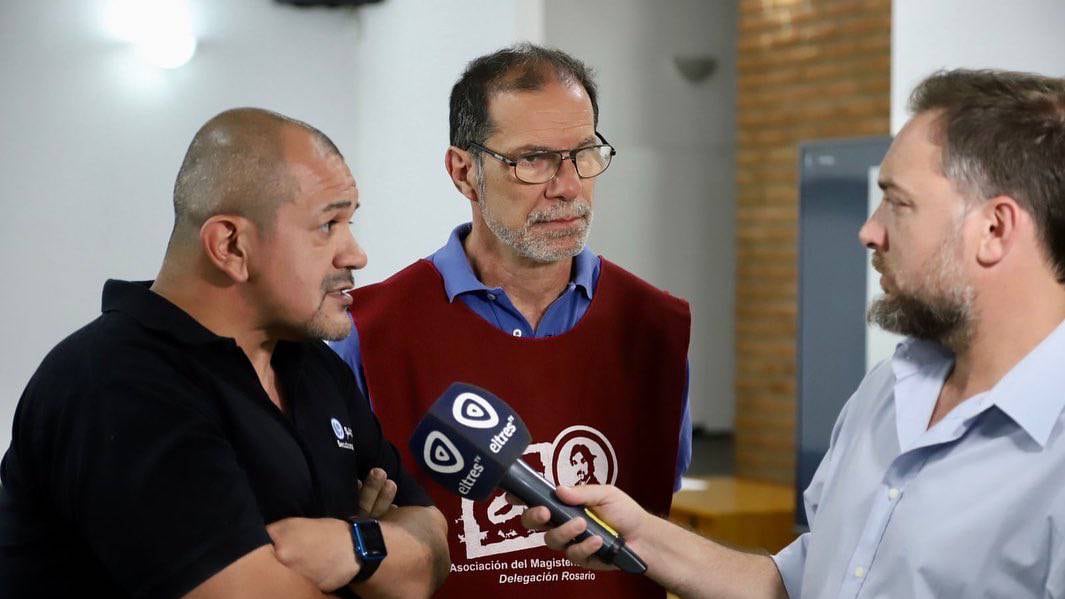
408 56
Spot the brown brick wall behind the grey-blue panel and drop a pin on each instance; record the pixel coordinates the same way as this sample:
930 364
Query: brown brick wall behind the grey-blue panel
808 70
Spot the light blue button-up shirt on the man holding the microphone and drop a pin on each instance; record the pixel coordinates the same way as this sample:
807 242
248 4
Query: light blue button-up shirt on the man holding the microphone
974 507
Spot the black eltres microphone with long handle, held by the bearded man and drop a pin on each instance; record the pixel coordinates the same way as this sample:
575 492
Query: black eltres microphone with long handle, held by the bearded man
471 443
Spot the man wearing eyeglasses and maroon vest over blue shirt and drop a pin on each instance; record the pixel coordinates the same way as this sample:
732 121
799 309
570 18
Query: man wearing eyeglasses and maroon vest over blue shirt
515 302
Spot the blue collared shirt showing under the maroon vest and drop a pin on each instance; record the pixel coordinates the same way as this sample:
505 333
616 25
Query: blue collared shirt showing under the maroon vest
495 306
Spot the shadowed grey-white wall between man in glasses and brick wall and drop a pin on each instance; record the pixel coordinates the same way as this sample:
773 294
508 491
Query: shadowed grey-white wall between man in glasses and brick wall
666 208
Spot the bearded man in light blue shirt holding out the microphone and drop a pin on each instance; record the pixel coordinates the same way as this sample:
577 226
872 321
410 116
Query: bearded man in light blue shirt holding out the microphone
944 476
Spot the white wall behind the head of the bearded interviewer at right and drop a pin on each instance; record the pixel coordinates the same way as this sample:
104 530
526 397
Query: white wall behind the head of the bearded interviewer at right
928 37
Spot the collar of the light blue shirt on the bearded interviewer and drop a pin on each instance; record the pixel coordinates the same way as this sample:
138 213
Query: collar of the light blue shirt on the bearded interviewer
1030 394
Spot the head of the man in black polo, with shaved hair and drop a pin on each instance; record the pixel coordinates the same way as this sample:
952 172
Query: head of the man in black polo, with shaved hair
261 242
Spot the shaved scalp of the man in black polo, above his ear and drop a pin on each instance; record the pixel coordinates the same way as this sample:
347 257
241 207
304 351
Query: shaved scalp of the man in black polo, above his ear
236 166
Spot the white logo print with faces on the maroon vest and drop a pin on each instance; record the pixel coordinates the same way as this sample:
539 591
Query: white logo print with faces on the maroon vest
578 456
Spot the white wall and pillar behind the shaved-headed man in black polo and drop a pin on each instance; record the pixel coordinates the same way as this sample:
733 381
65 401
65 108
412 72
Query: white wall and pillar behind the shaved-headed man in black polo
92 140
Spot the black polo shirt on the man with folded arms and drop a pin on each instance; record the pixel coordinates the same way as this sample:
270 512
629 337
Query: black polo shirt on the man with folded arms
146 456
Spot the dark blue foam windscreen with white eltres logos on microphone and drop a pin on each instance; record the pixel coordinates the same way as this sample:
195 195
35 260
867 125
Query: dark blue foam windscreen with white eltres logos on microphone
468 441
